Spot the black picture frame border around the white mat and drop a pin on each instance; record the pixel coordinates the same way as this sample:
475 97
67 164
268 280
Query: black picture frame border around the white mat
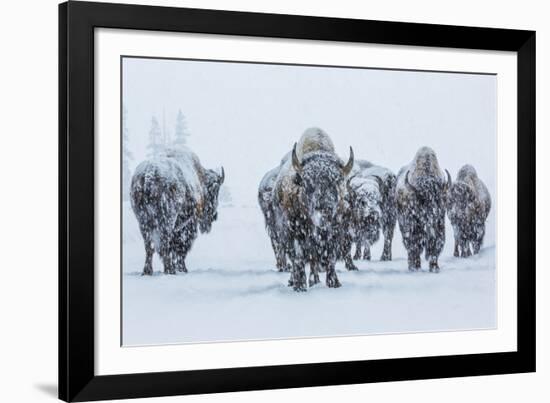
77 21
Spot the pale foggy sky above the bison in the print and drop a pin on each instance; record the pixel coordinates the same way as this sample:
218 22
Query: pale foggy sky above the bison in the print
247 116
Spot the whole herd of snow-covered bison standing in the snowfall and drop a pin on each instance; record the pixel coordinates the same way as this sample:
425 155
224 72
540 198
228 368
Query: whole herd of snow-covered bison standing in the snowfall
316 208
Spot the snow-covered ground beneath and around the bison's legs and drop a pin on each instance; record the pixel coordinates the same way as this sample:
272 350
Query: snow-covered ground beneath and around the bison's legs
233 292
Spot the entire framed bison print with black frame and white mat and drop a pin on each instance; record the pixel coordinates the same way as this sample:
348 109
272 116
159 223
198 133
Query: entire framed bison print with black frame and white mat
257 201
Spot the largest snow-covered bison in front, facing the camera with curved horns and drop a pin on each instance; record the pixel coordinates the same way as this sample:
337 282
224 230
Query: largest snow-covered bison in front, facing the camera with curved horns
307 204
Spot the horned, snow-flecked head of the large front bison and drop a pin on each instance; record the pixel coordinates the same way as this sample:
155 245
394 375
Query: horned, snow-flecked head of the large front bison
320 176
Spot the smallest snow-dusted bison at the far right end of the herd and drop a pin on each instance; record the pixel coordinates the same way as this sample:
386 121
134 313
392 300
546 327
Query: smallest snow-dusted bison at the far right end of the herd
468 206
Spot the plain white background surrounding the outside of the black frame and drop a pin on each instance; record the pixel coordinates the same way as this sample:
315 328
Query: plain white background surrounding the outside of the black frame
28 198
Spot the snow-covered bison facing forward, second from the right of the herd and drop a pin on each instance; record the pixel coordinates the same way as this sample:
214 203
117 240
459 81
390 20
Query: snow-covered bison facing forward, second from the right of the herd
421 194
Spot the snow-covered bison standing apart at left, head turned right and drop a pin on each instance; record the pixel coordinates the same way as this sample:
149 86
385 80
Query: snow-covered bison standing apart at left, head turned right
171 197
